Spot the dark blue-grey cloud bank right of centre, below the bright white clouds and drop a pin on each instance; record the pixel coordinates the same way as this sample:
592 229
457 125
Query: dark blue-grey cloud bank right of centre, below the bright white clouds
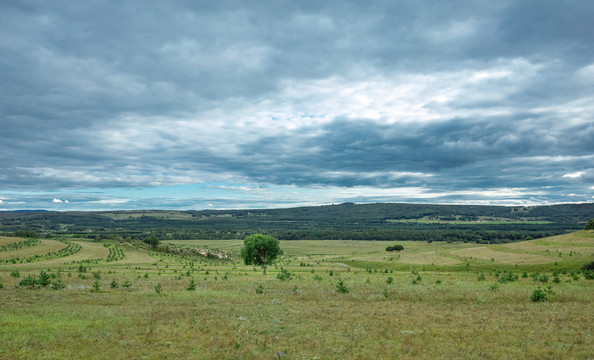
480 152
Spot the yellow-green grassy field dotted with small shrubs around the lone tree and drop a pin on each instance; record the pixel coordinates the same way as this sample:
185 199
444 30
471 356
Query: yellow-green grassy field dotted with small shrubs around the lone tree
431 300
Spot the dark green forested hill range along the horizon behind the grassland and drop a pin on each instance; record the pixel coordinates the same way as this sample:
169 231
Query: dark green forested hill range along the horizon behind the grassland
382 221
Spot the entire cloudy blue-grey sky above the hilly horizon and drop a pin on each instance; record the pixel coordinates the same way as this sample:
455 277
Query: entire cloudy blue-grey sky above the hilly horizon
113 105
